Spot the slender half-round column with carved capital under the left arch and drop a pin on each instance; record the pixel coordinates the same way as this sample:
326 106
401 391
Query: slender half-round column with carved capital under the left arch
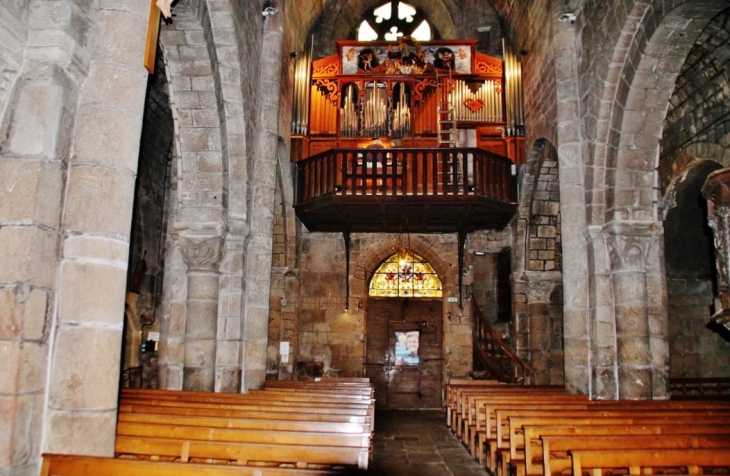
201 323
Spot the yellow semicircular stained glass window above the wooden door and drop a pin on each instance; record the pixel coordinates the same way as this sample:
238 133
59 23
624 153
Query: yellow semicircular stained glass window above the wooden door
405 274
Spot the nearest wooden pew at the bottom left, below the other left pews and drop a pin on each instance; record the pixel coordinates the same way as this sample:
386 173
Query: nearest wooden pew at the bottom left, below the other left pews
72 465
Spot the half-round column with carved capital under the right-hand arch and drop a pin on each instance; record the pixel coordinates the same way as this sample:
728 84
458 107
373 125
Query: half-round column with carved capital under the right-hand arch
629 249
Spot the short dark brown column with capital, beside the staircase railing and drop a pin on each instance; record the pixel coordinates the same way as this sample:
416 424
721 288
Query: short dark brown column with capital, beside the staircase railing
539 291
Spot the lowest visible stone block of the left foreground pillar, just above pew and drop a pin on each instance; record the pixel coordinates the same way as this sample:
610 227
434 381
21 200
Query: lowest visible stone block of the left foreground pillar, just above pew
64 428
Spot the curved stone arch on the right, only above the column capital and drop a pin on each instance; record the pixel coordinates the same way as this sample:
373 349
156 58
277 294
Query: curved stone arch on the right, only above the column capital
640 87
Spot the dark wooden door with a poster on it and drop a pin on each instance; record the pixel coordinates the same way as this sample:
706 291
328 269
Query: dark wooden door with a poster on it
410 382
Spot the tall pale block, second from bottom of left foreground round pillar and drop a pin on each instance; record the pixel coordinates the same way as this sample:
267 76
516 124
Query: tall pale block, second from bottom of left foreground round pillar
85 369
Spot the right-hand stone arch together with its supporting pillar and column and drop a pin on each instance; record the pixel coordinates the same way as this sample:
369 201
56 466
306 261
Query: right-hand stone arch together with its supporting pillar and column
651 48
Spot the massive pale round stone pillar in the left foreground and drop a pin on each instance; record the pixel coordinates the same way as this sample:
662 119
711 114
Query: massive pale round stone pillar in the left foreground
98 191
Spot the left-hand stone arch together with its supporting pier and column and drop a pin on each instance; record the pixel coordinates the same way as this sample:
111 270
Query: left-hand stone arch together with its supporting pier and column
202 214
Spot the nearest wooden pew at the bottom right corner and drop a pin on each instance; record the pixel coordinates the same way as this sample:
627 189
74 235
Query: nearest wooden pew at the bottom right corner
595 462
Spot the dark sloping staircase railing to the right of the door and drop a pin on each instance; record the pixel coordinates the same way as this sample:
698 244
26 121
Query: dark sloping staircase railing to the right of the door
501 361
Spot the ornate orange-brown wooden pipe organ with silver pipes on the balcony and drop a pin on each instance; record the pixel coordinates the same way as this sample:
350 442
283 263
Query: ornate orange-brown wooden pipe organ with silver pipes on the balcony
386 91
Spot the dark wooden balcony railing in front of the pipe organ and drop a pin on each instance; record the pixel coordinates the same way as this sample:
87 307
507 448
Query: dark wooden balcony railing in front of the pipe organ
406 172
